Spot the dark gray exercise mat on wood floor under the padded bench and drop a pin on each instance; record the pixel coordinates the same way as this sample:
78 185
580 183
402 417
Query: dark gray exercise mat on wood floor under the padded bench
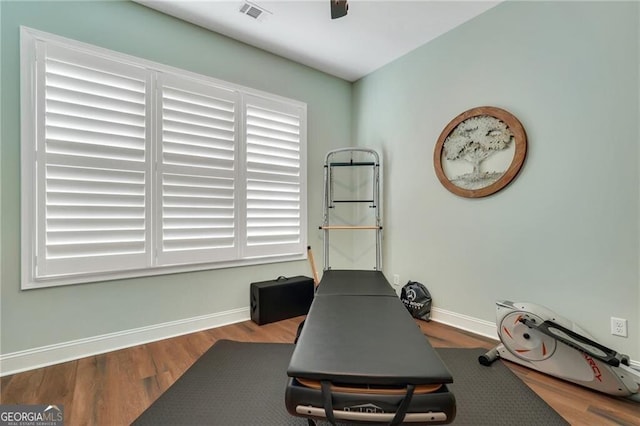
239 383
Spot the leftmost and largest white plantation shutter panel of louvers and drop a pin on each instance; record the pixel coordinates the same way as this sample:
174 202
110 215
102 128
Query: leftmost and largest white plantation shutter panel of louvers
92 168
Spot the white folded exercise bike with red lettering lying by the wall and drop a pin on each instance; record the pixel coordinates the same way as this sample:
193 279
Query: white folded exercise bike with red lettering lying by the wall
536 337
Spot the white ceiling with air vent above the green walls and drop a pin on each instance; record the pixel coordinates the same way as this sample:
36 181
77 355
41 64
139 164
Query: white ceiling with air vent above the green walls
372 34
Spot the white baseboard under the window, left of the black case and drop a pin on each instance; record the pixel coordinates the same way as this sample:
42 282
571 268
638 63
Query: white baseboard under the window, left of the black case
30 359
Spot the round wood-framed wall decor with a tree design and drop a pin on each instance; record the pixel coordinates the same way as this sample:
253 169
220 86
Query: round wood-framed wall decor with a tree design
480 152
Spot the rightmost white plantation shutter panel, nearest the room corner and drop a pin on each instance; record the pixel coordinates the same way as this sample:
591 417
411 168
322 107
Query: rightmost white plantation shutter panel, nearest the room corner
275 200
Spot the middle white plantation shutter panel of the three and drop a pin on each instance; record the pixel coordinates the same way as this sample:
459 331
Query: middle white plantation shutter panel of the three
197 170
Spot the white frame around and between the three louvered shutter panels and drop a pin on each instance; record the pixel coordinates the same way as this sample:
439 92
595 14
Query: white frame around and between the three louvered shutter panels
32 190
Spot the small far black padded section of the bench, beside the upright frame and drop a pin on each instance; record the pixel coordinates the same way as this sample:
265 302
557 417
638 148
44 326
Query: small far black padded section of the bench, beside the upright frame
354 282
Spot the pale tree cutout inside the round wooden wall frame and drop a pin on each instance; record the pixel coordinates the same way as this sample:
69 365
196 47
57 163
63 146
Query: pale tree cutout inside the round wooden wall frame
474 140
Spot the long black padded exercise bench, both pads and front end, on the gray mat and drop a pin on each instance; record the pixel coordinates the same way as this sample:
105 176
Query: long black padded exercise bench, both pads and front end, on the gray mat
361 358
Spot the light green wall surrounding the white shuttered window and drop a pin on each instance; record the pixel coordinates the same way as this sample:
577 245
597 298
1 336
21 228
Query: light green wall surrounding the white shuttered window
35 318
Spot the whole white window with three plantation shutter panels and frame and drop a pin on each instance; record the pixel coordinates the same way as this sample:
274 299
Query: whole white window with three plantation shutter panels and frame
132 168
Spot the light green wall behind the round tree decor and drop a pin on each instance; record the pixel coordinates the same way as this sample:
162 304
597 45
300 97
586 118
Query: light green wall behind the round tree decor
565 233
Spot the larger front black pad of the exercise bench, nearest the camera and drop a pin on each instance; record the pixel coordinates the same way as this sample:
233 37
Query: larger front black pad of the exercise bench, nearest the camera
365 340
